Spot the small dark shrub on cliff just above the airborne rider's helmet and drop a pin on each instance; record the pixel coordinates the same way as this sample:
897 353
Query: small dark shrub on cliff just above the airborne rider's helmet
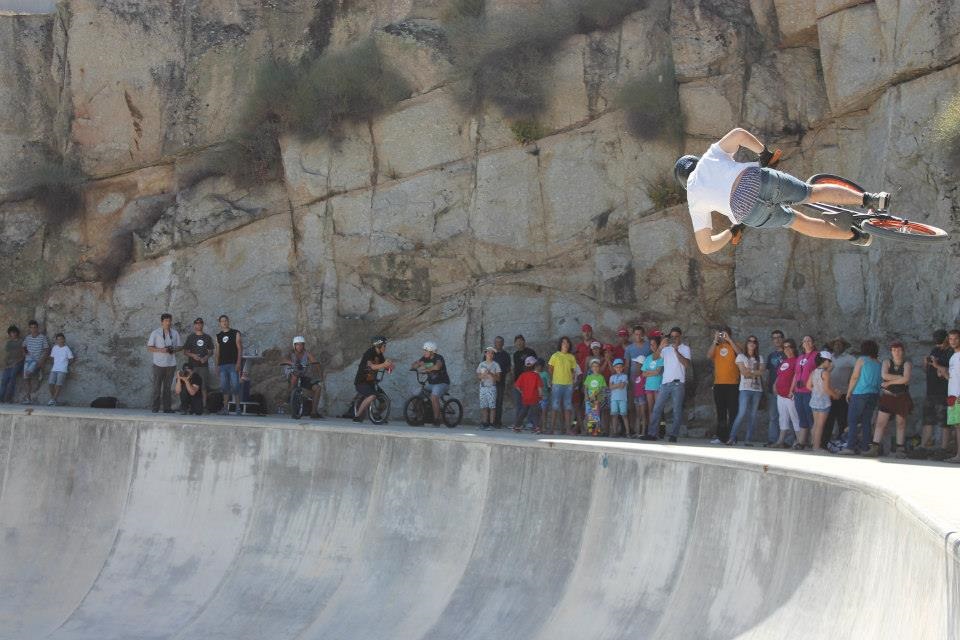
651 104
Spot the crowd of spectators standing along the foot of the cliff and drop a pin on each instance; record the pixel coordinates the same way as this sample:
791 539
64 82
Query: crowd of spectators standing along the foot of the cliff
820 396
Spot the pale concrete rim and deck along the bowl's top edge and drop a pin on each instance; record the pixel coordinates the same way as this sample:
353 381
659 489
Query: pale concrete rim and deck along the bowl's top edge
918 489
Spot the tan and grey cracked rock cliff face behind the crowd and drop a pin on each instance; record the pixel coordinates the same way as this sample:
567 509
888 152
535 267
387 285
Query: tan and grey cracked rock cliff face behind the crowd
429 222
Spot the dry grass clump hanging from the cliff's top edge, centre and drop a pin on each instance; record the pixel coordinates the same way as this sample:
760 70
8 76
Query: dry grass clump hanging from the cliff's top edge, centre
504 59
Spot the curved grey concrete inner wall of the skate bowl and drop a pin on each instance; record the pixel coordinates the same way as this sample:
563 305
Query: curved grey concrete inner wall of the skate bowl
130 528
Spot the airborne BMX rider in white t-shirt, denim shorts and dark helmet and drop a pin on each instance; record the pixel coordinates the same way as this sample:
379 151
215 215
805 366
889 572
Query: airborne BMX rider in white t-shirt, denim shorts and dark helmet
752 194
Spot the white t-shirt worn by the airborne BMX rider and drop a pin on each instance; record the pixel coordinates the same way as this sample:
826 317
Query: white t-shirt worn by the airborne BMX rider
710 185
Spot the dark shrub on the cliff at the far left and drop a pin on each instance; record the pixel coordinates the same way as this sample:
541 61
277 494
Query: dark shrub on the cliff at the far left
55 184
